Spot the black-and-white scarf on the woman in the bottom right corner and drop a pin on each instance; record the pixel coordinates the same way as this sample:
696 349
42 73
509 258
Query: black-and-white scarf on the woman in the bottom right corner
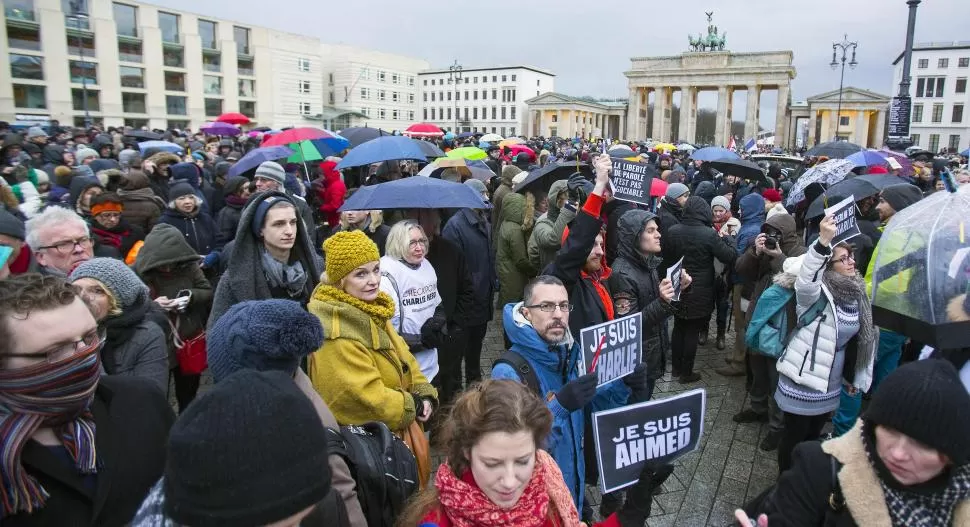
923 505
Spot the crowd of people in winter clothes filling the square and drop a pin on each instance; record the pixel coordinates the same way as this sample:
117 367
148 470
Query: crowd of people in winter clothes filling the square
127 274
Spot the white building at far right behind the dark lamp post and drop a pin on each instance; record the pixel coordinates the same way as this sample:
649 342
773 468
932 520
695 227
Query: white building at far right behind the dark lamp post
939 74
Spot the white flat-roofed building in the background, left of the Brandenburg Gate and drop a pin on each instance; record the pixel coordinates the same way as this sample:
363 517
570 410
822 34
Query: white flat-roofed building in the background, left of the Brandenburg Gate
490 100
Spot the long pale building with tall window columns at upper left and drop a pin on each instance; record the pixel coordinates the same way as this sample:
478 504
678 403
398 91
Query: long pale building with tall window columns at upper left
135 64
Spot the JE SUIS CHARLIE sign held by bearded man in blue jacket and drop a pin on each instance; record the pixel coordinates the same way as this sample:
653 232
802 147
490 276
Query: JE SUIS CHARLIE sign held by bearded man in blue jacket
612 349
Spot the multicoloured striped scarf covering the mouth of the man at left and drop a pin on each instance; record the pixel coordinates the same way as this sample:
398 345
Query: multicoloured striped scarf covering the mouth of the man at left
45 395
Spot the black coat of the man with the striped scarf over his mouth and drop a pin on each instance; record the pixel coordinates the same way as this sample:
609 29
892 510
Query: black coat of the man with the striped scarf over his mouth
133 420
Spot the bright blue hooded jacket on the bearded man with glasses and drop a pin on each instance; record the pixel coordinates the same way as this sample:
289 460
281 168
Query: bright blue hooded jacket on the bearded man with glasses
556 365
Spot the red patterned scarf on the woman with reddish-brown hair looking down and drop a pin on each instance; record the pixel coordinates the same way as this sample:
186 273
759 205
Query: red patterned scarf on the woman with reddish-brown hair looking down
467 506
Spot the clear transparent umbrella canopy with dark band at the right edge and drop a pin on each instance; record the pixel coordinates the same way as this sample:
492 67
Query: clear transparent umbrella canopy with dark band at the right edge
922 264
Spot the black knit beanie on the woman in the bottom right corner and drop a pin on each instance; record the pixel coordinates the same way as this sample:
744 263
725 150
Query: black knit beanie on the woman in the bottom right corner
926 401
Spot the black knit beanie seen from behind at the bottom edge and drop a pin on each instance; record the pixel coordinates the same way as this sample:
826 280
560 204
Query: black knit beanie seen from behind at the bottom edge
249 452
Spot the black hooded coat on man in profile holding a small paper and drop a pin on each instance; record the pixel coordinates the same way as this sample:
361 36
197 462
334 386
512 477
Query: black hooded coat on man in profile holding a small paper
635 281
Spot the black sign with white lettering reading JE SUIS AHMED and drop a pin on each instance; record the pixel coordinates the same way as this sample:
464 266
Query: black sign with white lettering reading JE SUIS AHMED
656 431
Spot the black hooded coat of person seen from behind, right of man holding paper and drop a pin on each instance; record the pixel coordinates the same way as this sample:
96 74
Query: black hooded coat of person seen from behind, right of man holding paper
695 240
